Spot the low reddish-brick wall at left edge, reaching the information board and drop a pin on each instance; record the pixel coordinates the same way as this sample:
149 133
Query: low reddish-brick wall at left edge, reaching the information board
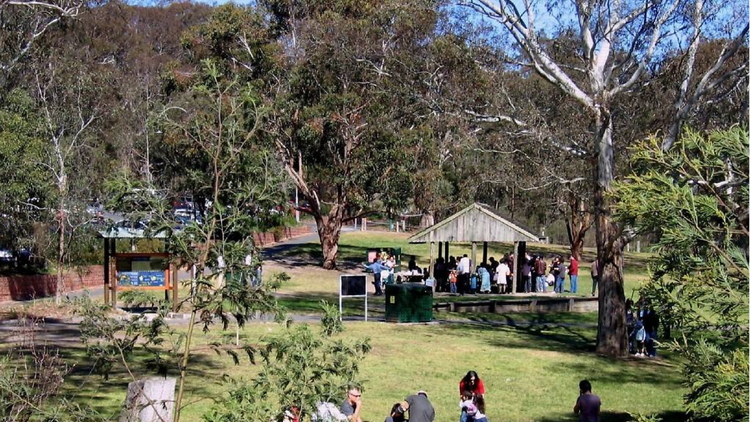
25 287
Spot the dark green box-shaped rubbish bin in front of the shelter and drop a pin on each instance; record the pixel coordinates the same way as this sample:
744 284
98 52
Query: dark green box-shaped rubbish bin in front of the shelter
408 302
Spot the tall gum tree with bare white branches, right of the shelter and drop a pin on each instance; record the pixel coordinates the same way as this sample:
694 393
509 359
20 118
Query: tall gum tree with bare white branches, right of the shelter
619 40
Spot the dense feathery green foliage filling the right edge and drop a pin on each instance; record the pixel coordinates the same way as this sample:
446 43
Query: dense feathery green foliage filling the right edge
694 197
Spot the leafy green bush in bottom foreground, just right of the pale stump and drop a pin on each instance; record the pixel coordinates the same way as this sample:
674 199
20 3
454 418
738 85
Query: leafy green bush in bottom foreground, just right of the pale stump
300 368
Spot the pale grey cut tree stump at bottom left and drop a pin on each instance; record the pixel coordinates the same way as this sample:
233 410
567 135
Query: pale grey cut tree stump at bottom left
149 400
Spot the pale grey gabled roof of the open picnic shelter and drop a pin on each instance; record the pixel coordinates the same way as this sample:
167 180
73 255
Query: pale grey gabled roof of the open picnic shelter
475 223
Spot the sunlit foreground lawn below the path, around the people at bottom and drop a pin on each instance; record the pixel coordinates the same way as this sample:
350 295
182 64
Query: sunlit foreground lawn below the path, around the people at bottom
531 374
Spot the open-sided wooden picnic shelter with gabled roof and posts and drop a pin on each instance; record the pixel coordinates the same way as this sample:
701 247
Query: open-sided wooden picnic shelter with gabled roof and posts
473 224
